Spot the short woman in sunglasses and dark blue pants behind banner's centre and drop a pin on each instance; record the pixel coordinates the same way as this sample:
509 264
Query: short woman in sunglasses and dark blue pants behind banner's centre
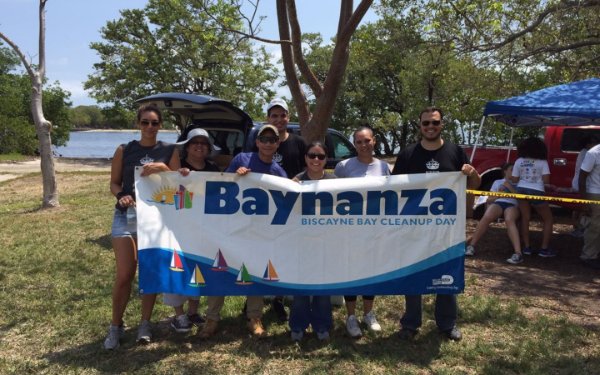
312 310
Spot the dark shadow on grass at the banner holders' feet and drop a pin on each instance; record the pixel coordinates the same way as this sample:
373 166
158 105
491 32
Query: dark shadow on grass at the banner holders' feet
234 343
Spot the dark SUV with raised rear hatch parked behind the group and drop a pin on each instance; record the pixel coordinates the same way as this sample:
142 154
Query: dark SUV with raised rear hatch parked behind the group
230 128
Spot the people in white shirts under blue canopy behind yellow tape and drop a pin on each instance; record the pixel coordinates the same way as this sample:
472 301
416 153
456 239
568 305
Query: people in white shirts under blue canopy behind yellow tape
530 175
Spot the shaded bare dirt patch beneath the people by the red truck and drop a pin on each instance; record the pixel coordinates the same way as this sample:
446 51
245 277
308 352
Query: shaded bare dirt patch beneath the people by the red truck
562 285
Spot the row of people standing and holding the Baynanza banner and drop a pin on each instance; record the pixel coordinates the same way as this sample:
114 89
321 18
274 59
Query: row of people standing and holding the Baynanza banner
281 154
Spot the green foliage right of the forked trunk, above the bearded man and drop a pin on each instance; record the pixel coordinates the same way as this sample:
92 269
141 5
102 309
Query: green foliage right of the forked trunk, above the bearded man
456 55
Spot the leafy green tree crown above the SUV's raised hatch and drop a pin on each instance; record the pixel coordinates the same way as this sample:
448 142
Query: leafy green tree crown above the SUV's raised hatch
175 46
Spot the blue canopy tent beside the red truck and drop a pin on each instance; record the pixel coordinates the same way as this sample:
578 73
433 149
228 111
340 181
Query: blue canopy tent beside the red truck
571 104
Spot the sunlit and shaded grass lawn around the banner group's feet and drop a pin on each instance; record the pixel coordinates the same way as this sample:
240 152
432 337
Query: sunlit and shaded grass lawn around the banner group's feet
56 273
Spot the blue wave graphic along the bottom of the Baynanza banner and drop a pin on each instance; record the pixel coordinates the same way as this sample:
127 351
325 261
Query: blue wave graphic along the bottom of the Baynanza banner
443 273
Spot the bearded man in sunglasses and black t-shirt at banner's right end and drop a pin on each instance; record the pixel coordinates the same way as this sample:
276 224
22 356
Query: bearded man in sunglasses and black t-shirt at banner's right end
432 155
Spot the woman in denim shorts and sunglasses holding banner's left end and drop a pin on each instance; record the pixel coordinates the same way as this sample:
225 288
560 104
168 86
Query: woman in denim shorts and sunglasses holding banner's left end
153 156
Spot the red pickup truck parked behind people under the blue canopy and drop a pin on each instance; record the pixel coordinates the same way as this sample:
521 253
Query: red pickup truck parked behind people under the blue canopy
563 144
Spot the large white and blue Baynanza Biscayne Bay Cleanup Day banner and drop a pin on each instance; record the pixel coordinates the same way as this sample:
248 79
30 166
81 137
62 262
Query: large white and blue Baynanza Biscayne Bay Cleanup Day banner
222 234
